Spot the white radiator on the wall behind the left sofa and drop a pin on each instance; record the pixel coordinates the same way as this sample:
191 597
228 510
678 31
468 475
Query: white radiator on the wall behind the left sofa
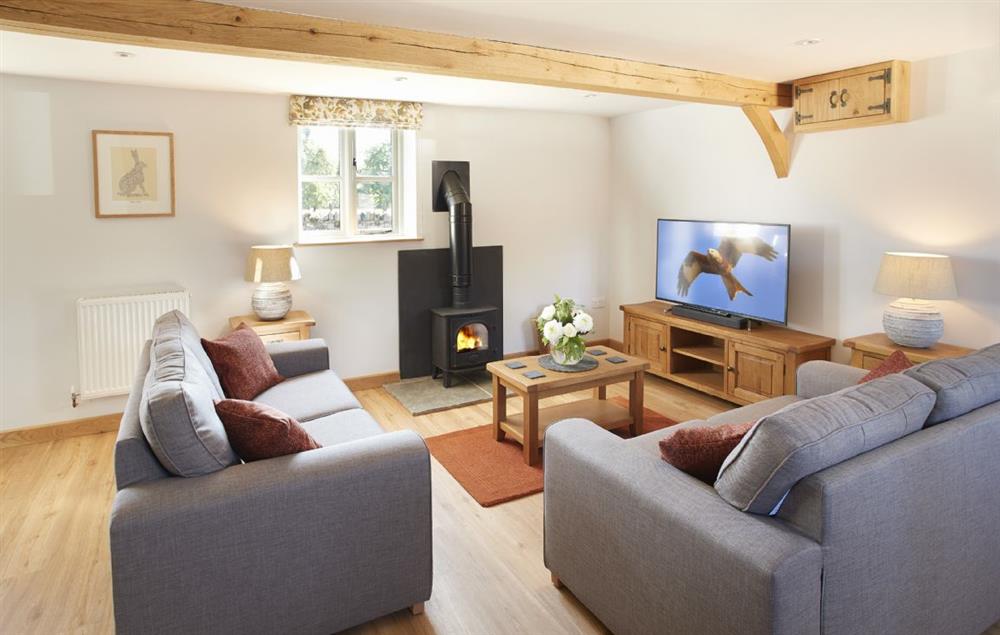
110 335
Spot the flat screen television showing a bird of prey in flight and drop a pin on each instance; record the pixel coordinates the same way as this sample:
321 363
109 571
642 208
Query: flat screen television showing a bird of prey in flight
735 268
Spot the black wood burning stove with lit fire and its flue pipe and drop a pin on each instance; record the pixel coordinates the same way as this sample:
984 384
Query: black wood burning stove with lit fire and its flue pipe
463 337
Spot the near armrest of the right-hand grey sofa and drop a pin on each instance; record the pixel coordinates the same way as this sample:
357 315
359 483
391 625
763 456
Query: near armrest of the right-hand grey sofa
625 530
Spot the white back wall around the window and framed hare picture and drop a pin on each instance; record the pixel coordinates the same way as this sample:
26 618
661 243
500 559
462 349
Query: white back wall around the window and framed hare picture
540 184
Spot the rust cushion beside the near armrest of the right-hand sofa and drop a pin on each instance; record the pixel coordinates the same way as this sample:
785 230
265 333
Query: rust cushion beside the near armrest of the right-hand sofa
701 451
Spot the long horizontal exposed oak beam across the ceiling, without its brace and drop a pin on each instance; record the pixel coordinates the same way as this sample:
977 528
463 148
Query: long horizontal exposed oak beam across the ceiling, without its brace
203 26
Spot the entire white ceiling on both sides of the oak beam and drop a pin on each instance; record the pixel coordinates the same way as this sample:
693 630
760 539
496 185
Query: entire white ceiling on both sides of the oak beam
750 39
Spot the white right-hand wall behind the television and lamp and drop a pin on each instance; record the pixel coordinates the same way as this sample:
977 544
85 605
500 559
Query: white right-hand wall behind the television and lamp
932 184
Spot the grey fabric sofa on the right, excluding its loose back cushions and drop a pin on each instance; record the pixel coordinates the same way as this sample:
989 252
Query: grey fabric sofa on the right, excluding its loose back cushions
901 539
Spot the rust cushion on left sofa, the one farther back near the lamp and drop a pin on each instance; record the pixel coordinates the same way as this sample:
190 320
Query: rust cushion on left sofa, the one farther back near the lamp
241 361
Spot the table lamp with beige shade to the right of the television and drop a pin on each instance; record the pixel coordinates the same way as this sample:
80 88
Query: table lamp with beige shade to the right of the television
915 278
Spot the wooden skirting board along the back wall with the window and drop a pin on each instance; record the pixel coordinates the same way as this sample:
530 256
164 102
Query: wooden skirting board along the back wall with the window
109 423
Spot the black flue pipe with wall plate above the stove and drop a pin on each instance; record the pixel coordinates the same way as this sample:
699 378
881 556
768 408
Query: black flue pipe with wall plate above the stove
451 194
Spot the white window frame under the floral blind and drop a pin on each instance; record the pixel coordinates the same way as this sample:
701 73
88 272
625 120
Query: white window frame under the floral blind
349 180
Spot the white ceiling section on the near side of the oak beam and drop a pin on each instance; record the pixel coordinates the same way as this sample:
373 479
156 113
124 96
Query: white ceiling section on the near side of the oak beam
752 39
